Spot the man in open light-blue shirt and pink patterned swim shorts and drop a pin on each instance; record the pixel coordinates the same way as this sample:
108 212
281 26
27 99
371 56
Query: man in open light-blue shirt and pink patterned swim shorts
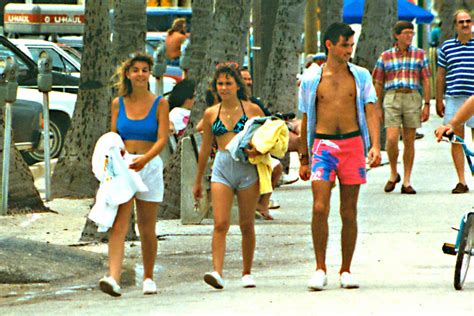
341 125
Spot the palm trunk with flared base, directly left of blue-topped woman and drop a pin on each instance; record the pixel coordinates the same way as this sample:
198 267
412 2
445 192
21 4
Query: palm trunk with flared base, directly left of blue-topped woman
73 174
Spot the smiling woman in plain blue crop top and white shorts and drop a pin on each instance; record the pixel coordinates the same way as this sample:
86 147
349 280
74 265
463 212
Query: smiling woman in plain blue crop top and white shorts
141 119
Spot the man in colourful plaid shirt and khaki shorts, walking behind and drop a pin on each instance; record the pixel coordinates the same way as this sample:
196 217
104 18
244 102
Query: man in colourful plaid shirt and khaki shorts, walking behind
400 73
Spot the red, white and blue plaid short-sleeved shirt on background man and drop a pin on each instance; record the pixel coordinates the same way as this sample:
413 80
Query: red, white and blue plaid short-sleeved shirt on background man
398 70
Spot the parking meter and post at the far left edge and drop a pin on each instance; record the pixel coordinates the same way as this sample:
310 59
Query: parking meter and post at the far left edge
6 139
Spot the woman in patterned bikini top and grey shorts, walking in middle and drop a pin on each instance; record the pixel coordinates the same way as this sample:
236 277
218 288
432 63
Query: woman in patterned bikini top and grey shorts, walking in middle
222 121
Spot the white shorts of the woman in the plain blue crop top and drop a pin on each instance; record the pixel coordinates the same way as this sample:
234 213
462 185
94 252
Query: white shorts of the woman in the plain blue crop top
152 177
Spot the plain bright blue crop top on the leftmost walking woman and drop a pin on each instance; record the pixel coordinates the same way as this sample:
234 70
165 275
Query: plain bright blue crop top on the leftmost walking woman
145 129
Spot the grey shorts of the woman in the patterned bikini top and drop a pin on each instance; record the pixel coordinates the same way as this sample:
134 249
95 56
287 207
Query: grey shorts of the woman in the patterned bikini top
237 175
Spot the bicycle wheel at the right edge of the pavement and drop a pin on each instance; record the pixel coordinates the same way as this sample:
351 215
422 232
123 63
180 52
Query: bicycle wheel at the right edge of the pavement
464 253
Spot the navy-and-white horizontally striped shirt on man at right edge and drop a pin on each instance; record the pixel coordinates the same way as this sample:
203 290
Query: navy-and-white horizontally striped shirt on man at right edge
458 60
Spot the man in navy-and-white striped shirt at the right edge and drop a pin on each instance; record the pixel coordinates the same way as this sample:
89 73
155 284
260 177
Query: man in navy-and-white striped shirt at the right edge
455 81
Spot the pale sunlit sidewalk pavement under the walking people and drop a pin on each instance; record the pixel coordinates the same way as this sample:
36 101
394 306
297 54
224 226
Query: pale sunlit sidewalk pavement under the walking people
398 258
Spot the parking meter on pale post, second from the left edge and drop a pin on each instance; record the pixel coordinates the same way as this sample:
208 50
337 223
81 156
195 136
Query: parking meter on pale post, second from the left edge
45 83
